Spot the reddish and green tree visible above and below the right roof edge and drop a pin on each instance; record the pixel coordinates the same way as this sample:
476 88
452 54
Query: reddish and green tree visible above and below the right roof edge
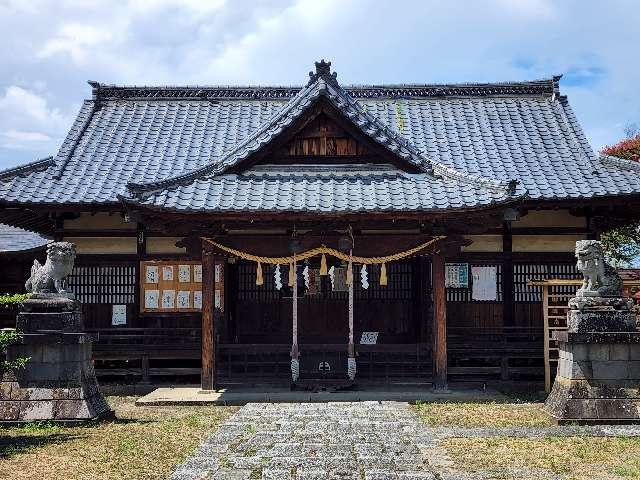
623 243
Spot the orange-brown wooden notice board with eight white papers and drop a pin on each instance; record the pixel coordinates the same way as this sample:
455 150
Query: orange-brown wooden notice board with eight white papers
170 286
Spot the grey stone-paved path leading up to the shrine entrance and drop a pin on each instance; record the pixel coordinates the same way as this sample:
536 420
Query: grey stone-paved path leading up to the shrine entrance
315 441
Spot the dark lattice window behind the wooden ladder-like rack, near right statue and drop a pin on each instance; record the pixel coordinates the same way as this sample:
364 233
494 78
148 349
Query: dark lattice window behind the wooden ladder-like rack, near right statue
523 272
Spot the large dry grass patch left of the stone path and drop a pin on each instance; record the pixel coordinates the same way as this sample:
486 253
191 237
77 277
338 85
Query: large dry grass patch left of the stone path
143 443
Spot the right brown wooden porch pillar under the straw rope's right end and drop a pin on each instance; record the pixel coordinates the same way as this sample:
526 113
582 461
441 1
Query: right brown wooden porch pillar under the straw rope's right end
439 333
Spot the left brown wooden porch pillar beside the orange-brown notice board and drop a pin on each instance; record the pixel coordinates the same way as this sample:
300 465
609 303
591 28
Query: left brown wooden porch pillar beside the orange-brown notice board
208 374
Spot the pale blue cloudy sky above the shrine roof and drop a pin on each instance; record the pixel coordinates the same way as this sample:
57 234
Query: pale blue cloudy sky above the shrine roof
50 49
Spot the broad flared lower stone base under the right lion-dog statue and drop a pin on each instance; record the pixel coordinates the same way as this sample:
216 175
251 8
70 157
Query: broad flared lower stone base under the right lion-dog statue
598 379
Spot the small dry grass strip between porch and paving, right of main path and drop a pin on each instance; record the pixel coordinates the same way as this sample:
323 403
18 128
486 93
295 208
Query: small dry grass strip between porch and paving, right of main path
482 414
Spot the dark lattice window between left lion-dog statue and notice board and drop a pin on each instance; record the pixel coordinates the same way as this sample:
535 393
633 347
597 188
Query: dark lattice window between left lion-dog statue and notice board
104 284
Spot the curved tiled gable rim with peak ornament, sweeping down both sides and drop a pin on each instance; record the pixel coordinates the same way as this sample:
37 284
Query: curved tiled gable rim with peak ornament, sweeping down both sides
322 96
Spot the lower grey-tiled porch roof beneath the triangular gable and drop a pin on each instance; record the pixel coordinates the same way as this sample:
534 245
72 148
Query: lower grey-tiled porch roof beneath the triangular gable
341 189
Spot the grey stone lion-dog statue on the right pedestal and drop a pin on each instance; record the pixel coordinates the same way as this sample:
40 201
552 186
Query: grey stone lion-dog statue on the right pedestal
600 278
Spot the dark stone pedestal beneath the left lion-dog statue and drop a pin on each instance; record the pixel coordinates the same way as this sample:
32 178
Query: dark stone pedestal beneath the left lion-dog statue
58 382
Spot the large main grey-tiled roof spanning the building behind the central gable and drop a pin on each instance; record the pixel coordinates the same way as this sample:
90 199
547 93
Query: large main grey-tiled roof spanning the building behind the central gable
522 131
